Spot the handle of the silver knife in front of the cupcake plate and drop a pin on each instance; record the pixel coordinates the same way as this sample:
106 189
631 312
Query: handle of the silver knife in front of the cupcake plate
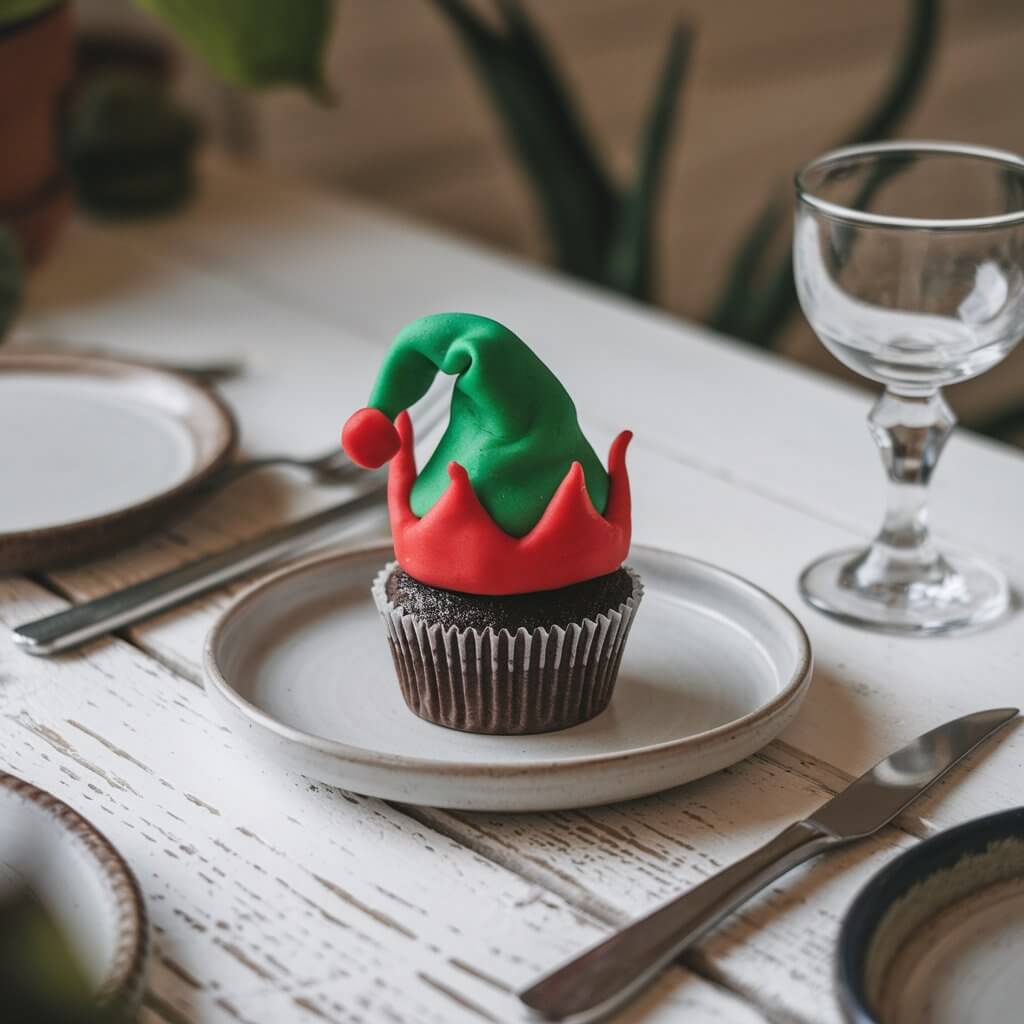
612 972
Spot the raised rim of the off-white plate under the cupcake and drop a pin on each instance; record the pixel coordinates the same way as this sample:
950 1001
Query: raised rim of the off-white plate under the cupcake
792 691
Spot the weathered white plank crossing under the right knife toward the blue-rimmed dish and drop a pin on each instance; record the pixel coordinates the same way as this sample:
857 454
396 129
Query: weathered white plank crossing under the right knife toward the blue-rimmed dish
619 862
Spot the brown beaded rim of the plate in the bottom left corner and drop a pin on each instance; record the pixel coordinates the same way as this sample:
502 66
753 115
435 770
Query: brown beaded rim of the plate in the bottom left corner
122 986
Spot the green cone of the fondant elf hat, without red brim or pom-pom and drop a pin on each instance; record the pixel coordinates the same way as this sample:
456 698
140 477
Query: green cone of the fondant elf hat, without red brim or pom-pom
514 426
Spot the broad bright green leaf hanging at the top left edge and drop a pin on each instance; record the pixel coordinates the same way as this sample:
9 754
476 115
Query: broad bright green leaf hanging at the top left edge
255 44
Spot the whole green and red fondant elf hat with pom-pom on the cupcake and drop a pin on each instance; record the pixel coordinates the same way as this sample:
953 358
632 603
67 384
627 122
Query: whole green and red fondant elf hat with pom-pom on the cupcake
515 499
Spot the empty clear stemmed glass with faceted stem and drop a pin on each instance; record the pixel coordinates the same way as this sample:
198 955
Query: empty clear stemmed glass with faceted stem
910 267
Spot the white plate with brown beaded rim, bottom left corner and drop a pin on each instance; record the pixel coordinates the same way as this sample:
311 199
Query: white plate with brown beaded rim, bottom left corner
82 882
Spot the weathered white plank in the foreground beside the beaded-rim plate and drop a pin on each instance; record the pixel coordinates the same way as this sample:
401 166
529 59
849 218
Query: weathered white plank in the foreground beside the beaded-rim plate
276 898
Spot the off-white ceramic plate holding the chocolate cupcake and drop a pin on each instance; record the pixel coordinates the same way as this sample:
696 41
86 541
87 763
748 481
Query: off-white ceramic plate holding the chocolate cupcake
714 669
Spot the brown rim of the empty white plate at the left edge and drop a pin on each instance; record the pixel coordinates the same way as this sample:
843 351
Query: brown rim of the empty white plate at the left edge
101 367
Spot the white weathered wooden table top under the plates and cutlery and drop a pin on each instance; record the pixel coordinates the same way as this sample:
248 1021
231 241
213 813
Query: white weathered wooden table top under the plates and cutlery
278 900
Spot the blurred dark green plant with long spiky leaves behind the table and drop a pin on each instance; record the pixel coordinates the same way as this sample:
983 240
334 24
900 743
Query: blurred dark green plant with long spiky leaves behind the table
604 232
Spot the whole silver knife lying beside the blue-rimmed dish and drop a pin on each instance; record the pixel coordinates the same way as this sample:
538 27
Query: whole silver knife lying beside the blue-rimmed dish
611 973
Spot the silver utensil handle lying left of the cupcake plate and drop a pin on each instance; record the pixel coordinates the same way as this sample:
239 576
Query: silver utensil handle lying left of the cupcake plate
149 598
